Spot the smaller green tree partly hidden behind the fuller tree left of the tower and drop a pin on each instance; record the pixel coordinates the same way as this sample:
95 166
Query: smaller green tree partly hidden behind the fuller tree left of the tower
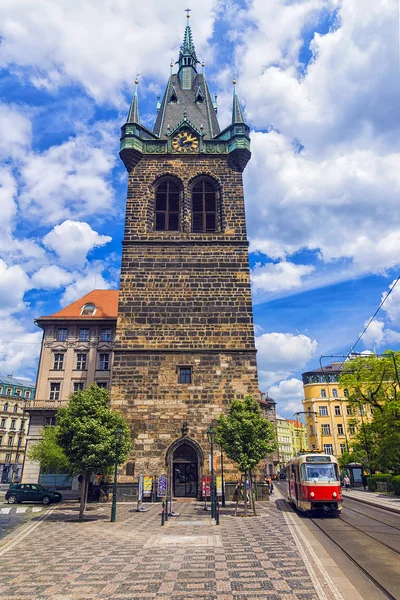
49 453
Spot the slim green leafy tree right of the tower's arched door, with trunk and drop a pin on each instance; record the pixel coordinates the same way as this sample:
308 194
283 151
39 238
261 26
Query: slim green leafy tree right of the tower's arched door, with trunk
246 436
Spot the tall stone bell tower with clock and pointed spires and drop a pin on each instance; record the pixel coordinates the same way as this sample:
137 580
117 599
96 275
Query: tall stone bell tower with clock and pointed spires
185 342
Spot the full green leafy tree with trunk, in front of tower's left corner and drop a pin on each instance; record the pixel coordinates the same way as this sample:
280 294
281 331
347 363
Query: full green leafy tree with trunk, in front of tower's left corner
86 433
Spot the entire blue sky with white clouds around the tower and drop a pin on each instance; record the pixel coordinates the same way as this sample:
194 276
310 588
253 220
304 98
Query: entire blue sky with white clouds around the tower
319 83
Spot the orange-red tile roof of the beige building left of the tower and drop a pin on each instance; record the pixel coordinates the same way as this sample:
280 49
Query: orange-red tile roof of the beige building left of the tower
106 302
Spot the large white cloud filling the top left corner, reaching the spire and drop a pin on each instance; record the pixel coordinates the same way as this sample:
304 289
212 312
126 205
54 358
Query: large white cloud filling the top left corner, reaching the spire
100 46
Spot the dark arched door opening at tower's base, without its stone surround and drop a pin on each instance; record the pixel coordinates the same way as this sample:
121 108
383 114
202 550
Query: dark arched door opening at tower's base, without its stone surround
185 472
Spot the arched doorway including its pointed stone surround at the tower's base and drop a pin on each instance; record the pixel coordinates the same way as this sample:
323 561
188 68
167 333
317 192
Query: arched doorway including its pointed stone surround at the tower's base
185 459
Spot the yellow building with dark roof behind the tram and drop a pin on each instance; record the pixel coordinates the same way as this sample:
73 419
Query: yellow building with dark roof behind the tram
330 422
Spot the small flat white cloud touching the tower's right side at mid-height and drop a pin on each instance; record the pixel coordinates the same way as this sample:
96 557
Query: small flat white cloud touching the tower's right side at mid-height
281 276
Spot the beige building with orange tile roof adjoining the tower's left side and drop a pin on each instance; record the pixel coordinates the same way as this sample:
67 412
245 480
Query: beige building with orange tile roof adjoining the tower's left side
77 350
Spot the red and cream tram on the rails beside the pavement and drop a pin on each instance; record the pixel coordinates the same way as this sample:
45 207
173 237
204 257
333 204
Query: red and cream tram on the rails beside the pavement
313 483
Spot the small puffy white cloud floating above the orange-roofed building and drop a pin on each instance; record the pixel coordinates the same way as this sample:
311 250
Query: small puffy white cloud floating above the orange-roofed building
72 240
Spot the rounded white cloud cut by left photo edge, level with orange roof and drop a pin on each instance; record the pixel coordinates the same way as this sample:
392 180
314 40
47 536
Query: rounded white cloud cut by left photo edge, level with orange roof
13 284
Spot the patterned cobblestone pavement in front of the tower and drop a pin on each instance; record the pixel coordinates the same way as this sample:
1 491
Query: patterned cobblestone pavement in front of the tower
190 558
